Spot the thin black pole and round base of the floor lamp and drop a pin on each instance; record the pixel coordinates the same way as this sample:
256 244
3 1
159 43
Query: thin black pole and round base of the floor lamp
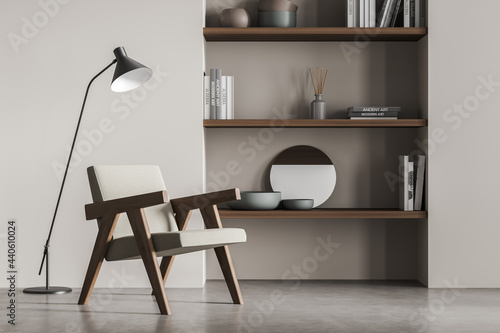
48 289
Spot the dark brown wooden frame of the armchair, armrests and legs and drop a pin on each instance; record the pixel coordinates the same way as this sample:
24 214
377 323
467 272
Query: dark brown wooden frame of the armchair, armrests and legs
109 211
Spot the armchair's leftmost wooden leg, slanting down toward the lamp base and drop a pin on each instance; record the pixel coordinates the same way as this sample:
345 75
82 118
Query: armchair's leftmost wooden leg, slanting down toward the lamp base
104 236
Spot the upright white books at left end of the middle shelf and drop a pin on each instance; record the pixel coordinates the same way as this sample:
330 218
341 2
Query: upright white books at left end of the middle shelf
218 95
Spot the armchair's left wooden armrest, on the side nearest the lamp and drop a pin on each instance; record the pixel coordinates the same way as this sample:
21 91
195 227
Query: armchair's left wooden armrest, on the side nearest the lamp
116 206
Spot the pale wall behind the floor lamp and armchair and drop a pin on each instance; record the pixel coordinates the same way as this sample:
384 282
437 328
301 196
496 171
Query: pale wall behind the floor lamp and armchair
42 88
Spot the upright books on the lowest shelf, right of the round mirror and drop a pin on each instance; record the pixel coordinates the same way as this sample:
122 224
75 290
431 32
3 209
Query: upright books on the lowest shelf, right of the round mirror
411 182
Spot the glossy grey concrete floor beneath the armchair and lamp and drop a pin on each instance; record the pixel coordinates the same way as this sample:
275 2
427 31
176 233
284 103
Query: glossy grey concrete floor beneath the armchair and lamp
270 306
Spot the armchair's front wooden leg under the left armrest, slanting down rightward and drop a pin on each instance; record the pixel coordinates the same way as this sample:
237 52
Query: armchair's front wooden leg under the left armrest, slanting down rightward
142 235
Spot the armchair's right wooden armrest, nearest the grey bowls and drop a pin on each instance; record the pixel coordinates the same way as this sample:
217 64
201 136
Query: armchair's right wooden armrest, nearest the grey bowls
203 200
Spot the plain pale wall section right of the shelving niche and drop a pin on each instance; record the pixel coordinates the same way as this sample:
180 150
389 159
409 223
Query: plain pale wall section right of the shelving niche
464 218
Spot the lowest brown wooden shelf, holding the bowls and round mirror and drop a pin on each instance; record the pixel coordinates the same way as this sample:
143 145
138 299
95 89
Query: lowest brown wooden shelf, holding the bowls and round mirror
322 213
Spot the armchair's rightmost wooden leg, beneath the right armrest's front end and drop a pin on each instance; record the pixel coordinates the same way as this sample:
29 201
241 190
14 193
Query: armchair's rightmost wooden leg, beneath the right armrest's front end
211 218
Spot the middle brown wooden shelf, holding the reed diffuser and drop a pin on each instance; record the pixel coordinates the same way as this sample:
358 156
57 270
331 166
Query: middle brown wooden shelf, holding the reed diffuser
310 123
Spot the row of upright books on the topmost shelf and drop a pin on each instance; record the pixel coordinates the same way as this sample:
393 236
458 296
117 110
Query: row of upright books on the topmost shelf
362 13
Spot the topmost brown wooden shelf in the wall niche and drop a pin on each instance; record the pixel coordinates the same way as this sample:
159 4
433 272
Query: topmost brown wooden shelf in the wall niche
312 34
